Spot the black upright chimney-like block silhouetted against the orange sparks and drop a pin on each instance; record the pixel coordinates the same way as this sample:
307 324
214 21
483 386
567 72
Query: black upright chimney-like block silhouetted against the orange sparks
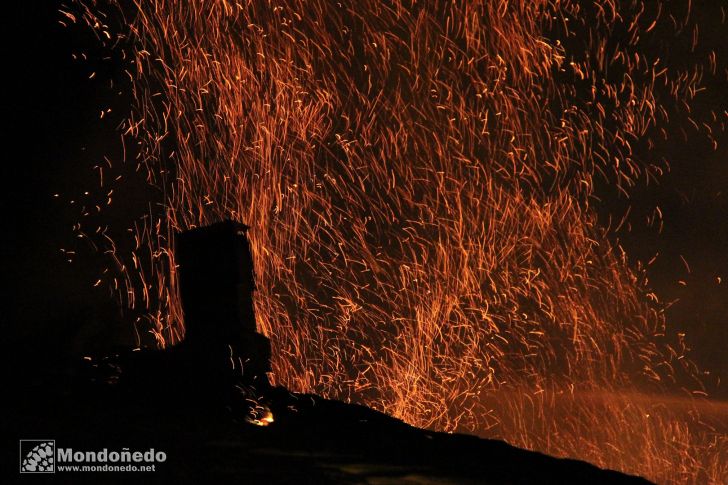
216 282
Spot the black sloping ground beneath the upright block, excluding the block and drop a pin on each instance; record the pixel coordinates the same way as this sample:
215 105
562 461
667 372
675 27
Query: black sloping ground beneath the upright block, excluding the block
312 440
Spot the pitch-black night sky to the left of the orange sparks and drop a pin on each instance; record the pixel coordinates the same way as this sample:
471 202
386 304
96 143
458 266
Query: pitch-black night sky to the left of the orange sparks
53 109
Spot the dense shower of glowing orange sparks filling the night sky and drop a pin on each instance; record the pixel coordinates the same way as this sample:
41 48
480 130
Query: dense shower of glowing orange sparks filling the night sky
422 180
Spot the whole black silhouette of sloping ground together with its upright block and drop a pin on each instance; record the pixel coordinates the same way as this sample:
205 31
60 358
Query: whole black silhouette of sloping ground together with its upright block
208 404
